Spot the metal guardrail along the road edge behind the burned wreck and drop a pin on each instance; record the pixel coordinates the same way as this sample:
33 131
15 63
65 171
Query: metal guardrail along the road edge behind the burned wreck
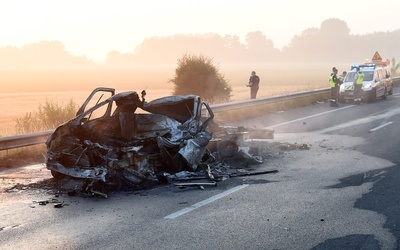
24 140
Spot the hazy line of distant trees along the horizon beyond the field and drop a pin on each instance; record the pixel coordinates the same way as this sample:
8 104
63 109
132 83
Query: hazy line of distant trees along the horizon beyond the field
331 42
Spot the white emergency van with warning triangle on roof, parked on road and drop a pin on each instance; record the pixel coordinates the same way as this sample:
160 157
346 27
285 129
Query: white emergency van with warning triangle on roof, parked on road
377 83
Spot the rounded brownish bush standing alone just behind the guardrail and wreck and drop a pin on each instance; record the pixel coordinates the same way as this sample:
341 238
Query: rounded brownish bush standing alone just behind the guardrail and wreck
198 75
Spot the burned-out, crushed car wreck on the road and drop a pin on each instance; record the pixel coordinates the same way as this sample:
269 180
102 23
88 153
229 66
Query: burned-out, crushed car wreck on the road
124 140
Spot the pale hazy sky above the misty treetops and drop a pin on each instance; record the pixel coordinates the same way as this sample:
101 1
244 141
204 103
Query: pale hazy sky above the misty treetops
95 27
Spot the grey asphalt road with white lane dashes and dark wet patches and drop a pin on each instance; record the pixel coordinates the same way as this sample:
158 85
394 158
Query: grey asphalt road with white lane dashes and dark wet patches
341 193
